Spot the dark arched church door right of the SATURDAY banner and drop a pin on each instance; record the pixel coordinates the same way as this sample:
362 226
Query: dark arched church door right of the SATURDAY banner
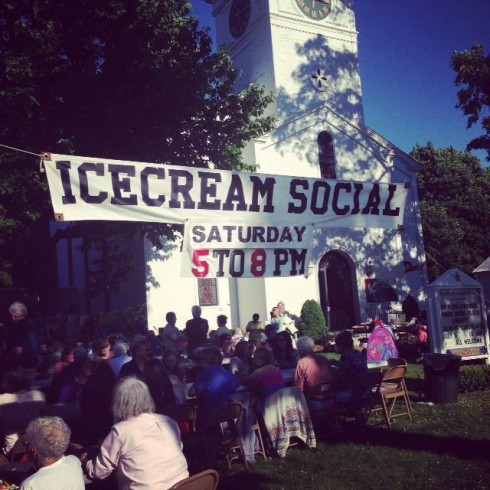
337 291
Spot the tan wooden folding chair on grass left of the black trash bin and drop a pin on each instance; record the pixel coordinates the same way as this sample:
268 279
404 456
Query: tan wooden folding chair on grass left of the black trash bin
392 389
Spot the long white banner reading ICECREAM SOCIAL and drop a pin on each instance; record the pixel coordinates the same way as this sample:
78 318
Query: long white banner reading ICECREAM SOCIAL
99 189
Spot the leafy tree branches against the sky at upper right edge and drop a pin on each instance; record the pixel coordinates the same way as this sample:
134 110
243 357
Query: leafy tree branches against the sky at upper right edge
473 74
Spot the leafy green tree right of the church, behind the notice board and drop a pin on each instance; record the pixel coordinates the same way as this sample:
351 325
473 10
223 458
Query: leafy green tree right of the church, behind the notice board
453 191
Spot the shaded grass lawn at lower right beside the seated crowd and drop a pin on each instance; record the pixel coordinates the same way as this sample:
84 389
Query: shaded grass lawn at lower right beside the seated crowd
445 446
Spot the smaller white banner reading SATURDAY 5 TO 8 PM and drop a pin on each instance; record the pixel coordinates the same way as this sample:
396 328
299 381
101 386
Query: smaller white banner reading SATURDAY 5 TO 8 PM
235 250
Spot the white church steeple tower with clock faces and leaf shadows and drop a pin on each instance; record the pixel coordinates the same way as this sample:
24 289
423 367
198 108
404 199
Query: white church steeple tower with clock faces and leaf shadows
303 50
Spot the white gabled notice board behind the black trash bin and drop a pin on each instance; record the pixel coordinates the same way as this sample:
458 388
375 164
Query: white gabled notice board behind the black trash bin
458 322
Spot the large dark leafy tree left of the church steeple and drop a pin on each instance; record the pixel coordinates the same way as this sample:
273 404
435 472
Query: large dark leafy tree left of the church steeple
123 79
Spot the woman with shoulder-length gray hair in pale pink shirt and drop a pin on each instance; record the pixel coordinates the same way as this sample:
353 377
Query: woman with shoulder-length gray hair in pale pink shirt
143 447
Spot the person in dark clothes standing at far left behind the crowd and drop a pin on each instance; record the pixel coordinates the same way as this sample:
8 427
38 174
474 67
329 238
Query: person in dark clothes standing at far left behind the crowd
22 342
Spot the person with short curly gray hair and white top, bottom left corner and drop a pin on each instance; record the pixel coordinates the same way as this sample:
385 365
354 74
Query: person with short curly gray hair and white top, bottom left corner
47 439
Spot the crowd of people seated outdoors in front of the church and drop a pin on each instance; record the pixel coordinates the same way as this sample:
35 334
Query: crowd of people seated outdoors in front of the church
84 385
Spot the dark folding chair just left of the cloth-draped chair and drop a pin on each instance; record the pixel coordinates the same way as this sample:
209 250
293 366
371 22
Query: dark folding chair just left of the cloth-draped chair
221 435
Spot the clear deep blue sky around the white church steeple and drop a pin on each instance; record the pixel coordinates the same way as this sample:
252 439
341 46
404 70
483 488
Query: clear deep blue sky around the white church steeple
405 48
